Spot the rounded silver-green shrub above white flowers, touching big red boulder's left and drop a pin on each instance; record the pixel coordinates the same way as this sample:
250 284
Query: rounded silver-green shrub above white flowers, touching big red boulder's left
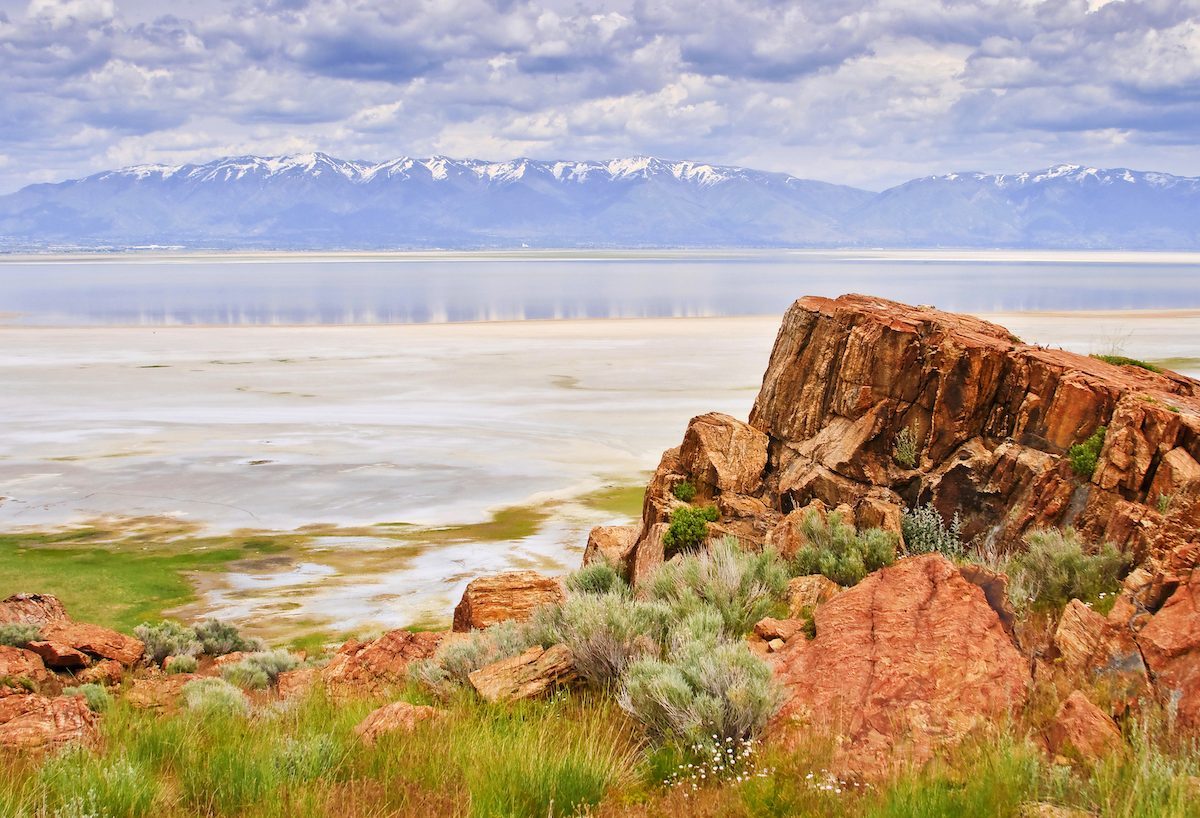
703 691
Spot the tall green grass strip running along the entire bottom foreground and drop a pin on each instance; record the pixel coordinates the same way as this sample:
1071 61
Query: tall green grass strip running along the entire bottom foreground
569 756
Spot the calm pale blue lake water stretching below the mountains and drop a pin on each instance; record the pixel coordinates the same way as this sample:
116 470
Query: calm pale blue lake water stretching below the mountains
441 288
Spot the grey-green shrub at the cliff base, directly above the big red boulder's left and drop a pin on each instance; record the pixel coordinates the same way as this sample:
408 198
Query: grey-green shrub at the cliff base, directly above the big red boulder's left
839 552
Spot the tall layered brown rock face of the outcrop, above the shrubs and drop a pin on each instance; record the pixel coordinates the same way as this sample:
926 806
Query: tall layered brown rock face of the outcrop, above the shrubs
992 420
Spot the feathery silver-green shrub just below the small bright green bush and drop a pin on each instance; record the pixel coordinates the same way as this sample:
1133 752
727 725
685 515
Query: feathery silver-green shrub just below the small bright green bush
742 587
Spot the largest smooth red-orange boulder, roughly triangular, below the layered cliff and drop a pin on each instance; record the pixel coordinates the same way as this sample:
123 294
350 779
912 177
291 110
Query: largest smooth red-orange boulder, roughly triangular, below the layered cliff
910 660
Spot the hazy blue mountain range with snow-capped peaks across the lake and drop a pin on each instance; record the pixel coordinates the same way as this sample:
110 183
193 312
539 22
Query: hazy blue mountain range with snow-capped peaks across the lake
317 202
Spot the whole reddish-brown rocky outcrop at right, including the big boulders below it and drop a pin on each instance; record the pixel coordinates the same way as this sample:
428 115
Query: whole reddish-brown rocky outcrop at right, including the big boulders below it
921 653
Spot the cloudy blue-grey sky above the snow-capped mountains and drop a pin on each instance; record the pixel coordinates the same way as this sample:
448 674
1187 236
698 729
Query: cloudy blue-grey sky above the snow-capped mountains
861 92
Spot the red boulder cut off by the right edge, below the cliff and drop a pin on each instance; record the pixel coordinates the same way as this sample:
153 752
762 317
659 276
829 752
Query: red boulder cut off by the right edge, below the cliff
1172 647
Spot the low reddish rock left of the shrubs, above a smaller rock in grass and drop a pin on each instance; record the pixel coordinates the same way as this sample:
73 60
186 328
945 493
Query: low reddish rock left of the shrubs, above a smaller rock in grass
370 667
